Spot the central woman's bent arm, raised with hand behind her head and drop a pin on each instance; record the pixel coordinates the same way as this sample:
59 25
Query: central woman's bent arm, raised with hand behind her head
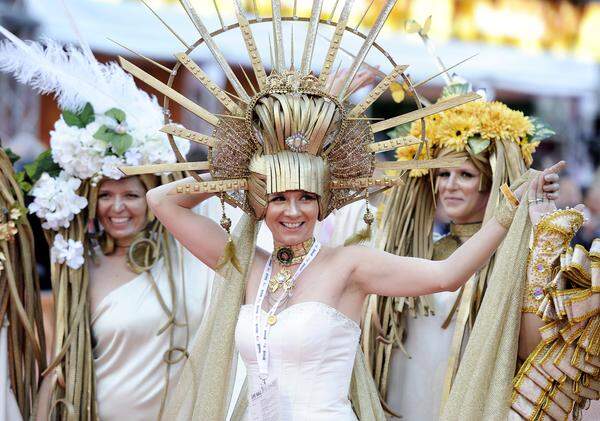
202 236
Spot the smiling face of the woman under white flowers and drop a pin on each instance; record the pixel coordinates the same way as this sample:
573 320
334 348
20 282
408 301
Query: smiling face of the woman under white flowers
122 208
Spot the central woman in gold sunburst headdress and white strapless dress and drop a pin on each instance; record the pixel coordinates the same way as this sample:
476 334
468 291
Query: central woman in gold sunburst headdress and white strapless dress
289 154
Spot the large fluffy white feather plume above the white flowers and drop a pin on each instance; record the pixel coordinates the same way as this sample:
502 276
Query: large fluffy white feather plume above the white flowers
76 78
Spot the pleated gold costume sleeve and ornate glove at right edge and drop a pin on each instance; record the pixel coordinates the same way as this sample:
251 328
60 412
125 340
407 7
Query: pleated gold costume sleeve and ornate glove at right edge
563 372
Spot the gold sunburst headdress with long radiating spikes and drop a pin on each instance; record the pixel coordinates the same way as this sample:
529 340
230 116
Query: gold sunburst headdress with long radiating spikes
293 132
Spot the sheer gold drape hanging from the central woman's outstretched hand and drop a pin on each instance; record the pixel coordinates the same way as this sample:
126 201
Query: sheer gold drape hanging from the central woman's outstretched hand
482 385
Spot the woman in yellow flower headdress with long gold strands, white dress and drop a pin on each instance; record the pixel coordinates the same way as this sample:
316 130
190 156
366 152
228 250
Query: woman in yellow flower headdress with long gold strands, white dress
497 143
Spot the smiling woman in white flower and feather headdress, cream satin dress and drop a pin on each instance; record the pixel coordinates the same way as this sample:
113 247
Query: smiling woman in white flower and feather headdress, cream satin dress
128 299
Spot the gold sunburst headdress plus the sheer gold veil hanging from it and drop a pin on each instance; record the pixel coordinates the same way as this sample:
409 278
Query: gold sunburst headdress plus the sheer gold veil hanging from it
292 133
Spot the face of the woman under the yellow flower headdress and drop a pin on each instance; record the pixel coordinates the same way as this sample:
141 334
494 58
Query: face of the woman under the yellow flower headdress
458 193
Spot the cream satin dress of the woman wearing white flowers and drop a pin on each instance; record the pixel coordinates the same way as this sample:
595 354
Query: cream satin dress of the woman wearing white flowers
129 354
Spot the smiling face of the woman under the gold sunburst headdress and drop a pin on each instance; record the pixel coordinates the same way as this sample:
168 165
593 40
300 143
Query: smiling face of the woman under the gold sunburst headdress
291 216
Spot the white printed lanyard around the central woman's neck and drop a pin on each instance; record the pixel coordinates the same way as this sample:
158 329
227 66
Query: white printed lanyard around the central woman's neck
262 332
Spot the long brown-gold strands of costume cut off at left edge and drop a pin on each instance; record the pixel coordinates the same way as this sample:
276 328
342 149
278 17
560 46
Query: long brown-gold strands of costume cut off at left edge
22 343
